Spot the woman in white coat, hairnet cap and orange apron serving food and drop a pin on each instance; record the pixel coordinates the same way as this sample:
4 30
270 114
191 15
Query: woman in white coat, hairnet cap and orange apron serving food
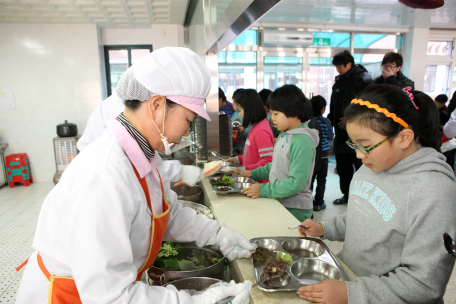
102 225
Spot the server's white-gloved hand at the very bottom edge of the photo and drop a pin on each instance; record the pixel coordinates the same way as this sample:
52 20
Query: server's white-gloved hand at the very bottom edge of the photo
223 290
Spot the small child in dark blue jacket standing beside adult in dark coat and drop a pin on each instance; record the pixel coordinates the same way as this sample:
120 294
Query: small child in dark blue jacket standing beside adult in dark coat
319 106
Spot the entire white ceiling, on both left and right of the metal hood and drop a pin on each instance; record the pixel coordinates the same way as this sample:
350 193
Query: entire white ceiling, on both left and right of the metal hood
143 13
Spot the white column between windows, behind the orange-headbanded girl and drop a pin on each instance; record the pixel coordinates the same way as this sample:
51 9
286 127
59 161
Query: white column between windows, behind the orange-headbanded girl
414 53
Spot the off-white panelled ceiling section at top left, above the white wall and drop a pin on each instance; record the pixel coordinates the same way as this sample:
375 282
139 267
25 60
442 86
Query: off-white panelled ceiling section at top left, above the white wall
105 13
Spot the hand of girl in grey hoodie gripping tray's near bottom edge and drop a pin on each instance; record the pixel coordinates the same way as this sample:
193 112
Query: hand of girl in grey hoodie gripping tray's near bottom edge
328 292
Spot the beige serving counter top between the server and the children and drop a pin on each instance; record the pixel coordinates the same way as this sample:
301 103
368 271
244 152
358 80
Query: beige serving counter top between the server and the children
253 218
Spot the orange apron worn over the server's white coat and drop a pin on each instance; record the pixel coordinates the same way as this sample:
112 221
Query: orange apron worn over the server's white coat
63 290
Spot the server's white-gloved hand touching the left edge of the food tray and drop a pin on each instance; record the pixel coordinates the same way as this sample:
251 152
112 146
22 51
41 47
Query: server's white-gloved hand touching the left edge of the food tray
233 244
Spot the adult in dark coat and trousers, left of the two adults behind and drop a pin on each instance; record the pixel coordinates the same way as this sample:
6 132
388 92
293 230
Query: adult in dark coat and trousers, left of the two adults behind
351 80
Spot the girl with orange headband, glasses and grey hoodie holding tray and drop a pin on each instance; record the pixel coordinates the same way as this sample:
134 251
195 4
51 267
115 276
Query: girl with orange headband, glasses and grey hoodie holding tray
401 202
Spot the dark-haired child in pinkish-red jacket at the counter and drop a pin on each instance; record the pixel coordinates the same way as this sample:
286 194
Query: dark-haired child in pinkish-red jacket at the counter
259 145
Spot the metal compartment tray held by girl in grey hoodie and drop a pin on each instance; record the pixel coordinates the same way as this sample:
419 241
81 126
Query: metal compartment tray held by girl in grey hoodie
315 263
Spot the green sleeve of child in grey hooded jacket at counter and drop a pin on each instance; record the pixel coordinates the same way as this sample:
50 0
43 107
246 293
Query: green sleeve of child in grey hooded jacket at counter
301 153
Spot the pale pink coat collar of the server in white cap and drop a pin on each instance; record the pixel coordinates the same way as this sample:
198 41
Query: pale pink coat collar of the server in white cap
132 148
